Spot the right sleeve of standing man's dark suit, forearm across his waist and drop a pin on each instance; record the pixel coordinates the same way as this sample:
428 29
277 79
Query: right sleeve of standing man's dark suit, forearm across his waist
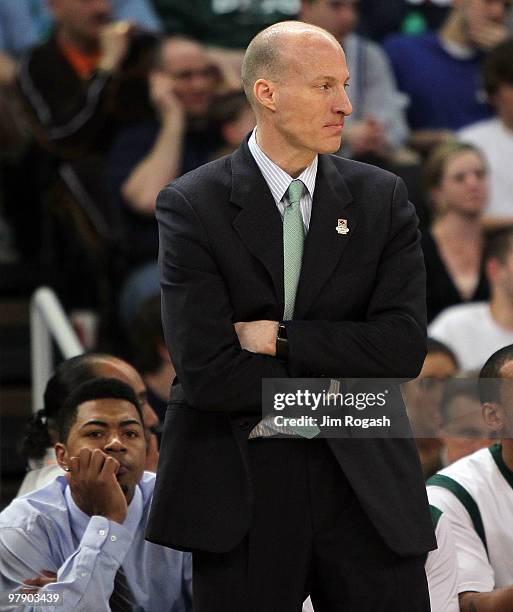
390 339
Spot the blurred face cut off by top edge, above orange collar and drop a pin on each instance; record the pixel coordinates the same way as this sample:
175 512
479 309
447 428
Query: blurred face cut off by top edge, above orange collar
82 19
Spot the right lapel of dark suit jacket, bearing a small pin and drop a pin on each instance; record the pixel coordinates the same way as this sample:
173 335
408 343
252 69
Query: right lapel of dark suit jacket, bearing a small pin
324 245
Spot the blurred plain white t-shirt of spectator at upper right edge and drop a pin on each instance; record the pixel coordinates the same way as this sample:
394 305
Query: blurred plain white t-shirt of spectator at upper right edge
496 143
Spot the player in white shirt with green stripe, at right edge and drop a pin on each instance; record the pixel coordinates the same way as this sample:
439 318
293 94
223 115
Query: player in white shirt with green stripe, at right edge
476 495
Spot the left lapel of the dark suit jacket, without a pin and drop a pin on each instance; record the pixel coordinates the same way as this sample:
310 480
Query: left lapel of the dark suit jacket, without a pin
259 222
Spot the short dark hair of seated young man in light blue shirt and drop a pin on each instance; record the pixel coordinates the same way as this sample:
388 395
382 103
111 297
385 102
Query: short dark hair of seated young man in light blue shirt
96 389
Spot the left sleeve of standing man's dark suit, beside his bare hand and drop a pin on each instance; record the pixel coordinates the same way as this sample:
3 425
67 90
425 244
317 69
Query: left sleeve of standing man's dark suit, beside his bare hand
215 372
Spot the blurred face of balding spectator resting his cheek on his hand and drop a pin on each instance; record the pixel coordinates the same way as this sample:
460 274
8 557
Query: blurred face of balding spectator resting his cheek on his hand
193 77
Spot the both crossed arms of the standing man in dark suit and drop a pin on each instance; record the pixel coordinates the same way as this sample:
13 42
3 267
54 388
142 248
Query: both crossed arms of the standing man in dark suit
221 361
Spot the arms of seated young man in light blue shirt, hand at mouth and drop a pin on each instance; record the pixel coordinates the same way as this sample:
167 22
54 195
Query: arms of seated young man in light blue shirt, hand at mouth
29 552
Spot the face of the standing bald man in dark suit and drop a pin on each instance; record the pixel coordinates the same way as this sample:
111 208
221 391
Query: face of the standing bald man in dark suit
309 99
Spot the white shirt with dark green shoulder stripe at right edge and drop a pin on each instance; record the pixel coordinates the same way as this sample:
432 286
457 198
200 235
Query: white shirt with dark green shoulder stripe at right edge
476 495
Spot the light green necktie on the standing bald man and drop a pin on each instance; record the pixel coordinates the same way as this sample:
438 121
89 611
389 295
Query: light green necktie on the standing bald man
293 241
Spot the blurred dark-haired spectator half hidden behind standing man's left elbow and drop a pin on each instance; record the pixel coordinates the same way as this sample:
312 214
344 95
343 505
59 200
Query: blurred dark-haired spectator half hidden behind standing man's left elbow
150 355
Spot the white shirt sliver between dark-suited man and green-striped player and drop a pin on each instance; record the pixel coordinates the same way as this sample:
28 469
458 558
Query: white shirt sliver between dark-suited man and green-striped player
441 570
